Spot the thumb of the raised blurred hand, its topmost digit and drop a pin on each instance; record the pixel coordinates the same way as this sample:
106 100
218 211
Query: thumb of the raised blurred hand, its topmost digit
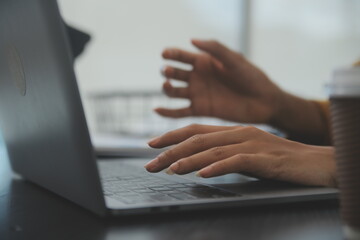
217 50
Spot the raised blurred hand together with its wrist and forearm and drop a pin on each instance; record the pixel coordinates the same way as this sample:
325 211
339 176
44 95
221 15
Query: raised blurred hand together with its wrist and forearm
224 84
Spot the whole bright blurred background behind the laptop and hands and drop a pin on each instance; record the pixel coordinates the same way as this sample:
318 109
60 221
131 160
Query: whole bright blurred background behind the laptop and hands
297 43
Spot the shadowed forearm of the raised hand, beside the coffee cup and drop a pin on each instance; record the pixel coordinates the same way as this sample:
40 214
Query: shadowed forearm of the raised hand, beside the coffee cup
303 120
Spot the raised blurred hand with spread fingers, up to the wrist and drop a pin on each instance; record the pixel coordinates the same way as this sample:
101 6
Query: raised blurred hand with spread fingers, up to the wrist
221 84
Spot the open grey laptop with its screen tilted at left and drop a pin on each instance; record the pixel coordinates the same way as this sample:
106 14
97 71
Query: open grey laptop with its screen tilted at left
48 143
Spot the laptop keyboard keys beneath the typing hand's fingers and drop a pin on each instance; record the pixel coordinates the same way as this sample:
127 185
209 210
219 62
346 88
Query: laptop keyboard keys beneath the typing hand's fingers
147 188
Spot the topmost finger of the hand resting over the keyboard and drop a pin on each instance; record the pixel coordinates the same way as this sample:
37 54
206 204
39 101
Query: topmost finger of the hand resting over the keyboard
181 134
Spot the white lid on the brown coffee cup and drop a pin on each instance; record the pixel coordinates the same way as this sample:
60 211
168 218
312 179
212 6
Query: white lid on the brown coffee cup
345 82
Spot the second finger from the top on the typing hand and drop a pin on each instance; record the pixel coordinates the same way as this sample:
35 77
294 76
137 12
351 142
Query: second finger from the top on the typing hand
196 143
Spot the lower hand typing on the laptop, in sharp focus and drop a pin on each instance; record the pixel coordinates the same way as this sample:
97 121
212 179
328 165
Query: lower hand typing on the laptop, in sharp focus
214 151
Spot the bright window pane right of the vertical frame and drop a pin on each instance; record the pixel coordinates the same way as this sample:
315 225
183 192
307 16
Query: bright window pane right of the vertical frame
300 42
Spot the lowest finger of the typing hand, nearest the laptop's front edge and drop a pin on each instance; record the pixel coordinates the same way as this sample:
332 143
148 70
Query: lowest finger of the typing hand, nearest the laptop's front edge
249 163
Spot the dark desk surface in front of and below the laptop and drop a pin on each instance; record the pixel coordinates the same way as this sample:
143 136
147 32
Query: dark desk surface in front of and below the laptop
30 212
